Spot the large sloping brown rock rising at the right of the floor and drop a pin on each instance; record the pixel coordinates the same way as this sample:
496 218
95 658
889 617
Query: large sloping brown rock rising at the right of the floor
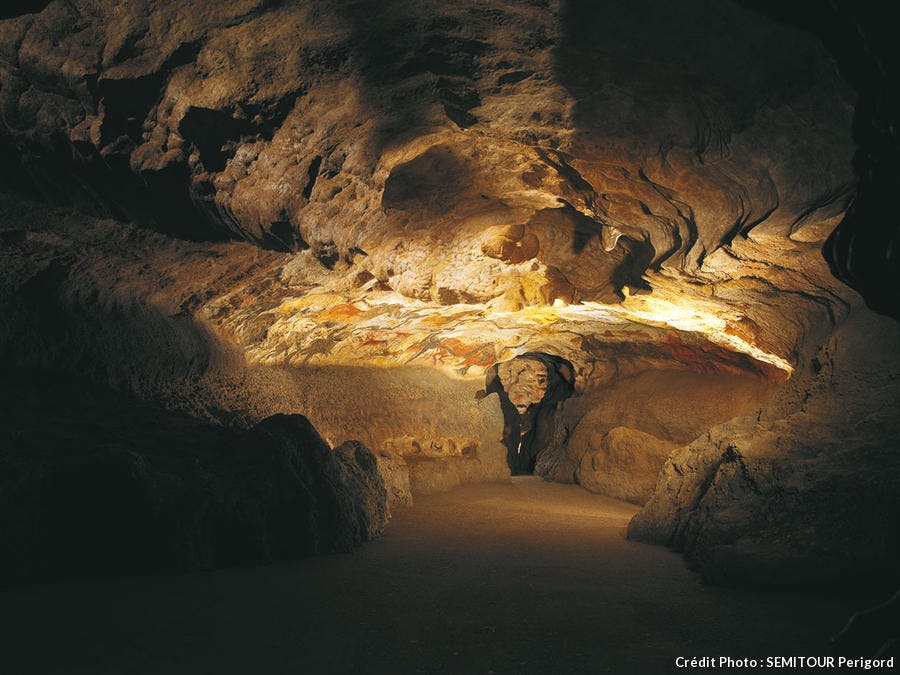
804 490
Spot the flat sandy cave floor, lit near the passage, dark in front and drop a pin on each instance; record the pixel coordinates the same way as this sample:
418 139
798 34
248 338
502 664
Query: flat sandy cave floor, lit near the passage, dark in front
529 577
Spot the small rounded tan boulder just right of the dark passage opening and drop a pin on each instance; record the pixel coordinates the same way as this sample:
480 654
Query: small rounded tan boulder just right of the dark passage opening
624 463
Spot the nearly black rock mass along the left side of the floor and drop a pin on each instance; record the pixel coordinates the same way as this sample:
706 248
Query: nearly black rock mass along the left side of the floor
98 485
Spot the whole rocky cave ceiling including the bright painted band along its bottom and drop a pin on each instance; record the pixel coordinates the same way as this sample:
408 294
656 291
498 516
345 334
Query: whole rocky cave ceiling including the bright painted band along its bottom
440 184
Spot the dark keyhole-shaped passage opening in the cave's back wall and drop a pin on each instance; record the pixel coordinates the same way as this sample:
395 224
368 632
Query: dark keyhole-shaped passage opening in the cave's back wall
532 388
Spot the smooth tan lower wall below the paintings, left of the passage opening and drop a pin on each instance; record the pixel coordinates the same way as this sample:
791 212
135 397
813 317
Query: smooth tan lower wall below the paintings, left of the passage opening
72 305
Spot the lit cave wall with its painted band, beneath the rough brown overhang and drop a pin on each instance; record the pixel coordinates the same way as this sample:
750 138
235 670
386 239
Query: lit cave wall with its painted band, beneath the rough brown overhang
233 334
